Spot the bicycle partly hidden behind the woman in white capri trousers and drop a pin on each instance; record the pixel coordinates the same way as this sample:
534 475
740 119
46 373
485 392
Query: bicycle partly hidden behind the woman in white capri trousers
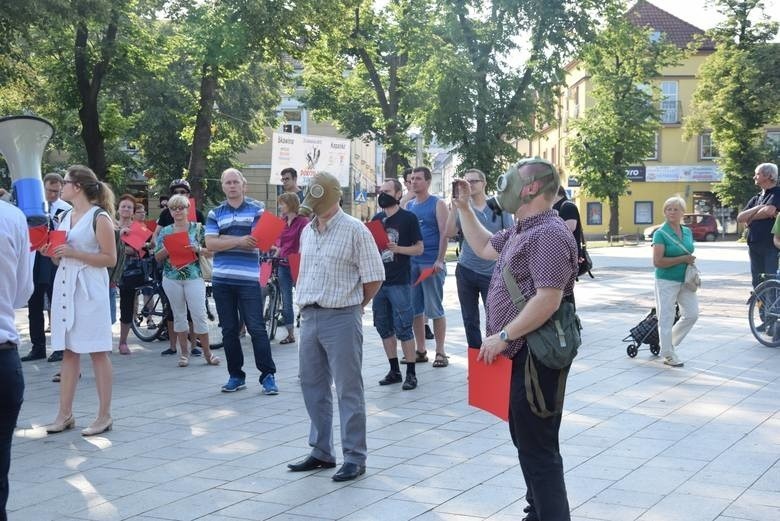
154 304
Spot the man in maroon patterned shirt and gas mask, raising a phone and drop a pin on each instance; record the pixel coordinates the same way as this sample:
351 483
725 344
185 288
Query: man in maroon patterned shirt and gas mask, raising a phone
542 257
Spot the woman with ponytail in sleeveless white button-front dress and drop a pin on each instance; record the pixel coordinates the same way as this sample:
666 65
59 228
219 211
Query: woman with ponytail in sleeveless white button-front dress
80 306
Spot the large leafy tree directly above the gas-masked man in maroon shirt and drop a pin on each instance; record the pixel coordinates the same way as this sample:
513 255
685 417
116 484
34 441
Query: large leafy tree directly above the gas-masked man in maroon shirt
500 70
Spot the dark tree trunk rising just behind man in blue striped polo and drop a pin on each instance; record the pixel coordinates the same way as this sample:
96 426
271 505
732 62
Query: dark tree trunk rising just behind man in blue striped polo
201 140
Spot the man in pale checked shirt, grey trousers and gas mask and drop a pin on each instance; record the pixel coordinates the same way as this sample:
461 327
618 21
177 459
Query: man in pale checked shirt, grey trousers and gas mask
341 271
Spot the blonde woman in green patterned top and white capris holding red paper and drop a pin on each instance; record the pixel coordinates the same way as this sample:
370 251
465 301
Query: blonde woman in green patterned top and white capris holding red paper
184 286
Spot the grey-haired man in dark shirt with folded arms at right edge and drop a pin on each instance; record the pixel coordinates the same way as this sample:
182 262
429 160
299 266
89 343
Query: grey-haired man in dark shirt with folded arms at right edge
759 214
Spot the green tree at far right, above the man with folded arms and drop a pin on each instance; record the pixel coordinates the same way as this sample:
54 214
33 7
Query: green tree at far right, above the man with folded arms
738 94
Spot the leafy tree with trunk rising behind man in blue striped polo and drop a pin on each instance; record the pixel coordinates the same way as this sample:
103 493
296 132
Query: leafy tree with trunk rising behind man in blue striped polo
235 41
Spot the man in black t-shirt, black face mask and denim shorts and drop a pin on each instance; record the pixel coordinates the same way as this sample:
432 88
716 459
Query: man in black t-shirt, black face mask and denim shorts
392 305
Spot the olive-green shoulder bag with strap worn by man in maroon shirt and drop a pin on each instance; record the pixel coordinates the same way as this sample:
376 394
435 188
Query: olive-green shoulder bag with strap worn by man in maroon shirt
554 344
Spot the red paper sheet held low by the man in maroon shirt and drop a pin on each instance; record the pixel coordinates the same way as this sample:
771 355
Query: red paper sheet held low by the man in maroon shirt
489 384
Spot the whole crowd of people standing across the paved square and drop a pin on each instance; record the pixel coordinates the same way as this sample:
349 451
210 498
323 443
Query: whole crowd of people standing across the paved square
519 255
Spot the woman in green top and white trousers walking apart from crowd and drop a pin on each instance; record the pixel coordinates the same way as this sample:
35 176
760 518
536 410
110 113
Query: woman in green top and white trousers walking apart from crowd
672 252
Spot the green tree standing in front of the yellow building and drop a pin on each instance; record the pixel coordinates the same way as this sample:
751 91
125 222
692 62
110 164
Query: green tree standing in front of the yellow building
619 129
